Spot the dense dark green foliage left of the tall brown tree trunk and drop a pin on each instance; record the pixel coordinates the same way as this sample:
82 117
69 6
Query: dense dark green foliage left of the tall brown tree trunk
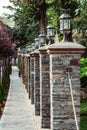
26 28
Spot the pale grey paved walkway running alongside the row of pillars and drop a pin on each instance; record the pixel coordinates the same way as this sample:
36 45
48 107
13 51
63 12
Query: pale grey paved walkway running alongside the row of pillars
18 113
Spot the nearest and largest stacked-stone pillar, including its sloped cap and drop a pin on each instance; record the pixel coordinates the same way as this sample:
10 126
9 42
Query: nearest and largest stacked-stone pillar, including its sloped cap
64 60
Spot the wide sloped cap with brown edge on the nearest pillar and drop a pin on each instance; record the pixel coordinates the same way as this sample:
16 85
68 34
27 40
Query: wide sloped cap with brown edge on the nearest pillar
66 47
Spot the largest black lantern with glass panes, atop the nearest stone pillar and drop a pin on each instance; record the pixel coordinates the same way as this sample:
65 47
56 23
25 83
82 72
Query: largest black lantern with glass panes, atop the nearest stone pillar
65 24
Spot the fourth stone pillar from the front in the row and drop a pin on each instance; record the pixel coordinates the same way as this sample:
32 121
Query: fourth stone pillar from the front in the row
32 78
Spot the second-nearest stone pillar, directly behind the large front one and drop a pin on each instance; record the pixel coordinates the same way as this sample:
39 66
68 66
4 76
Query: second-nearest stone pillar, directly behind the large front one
45 88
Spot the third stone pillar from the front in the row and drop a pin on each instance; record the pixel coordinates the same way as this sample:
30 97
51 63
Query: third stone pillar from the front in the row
37 83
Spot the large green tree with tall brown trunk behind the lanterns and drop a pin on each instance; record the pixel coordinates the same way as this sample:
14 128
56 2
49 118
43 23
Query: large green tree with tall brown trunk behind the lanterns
32 17
